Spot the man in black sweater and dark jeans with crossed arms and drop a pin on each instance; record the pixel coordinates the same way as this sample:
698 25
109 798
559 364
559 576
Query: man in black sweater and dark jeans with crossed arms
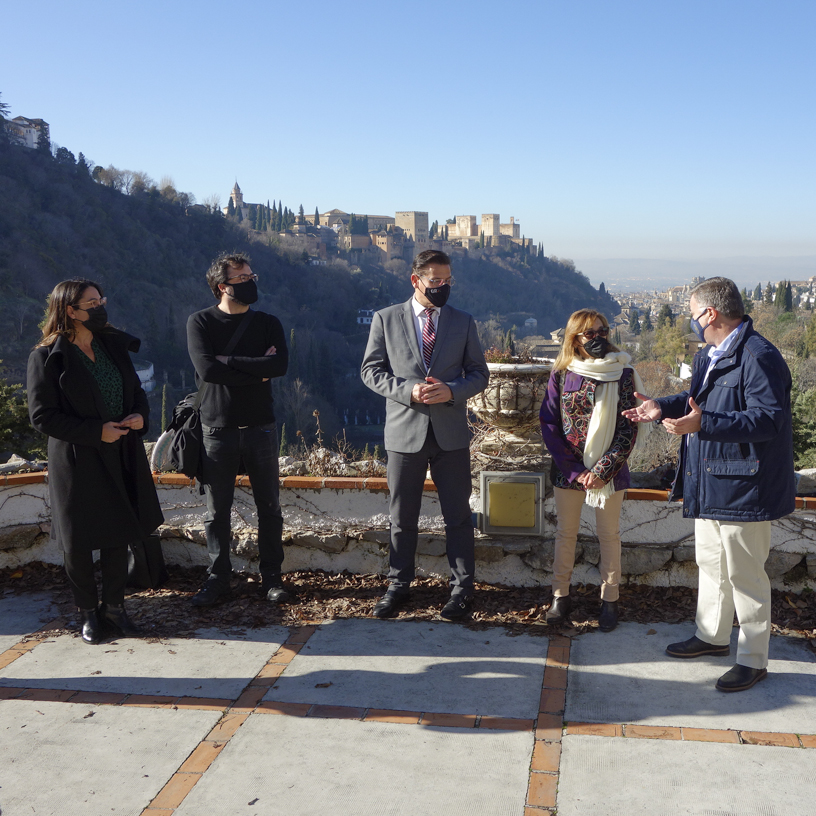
236 352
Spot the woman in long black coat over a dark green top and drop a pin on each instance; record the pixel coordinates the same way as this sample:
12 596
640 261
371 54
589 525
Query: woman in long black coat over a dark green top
84 393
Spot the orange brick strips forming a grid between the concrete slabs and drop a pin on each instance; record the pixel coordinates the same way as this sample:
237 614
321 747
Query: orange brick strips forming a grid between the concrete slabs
548 727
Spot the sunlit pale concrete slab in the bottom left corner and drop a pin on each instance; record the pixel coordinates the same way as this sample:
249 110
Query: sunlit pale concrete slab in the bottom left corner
60 759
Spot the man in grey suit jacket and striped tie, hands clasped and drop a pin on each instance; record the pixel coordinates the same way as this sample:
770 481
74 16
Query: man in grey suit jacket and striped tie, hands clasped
424 357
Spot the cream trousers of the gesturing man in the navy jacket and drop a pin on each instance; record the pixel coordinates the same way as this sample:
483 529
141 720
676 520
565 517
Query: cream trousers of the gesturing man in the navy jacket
731 560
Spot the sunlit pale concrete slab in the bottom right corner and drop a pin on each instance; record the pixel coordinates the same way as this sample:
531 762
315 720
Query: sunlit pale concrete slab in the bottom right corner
616 776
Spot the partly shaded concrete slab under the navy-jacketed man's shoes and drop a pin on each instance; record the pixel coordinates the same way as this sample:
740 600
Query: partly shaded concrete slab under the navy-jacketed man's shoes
625 676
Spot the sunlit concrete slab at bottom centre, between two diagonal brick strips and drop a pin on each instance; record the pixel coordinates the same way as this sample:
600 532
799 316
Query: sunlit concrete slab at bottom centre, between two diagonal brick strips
313 767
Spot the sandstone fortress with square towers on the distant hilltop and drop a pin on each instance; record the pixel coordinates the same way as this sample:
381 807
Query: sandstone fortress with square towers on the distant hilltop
384 238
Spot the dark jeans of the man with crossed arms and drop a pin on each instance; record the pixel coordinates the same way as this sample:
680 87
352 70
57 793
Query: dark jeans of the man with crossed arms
224 450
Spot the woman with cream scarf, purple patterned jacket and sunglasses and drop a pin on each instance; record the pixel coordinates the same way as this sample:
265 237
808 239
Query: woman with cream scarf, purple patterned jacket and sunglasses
589 441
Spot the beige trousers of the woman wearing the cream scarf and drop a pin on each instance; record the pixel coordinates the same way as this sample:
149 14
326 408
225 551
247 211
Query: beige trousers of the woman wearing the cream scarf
568 506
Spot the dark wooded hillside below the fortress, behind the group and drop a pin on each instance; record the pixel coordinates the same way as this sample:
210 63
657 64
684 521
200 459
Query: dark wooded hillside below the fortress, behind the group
149 246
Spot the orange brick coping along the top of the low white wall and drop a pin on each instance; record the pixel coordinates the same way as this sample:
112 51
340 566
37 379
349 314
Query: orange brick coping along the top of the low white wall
375 483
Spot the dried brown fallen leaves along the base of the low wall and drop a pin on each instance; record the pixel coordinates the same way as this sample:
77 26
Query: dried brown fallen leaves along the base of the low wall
167 612
